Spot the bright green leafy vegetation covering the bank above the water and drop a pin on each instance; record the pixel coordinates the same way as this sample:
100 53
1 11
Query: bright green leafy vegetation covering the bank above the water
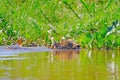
85 21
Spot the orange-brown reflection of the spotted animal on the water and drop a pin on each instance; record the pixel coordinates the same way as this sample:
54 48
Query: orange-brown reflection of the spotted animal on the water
65 54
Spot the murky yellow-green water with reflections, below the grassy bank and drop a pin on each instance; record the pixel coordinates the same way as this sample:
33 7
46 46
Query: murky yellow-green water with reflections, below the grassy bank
61 65
